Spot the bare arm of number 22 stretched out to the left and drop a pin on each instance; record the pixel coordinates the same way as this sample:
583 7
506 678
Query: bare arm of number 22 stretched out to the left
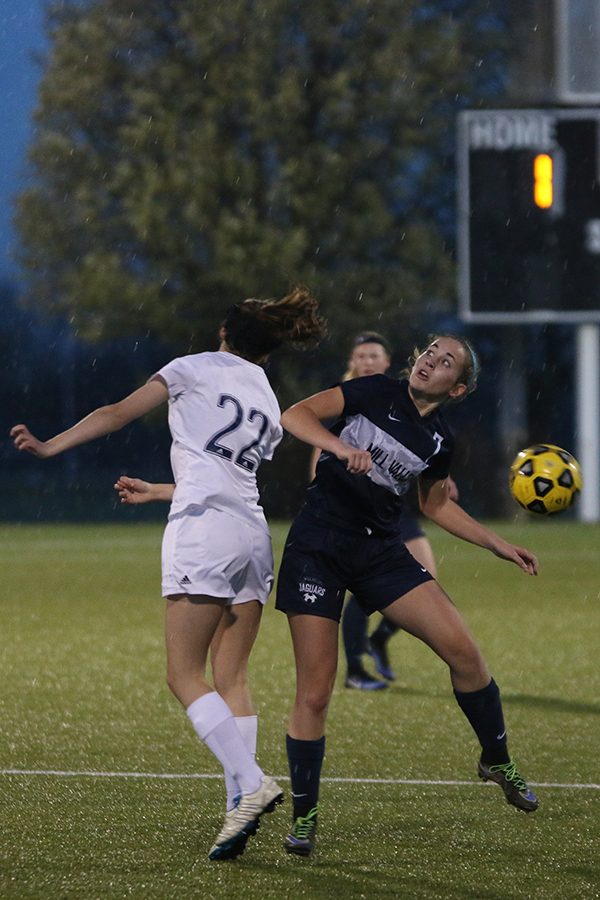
102 421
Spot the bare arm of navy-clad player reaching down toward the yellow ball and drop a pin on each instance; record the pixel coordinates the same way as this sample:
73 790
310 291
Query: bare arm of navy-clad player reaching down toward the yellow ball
436 504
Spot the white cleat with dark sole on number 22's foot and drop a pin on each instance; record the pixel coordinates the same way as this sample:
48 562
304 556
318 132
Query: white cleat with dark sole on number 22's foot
243 820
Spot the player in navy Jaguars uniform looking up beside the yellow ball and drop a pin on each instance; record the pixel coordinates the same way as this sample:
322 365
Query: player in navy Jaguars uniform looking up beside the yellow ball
345 538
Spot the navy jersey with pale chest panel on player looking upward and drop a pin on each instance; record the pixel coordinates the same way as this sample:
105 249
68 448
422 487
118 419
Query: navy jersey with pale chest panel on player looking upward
379 416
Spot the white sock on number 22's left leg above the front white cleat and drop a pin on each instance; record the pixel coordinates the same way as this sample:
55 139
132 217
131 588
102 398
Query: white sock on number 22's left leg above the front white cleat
214 724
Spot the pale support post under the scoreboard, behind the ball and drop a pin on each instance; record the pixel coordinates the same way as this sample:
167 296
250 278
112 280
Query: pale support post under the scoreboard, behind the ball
587 423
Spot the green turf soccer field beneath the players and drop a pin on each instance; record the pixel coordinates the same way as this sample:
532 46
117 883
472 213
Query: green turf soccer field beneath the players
83 692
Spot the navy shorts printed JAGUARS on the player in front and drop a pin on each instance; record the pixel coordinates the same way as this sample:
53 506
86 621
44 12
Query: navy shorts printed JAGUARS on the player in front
321 562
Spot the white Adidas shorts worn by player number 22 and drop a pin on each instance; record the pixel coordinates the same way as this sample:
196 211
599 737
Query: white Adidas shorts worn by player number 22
217 555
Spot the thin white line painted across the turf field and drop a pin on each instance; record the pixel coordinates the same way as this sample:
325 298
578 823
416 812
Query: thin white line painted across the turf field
57 773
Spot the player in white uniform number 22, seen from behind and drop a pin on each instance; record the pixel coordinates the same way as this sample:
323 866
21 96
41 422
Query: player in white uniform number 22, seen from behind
217 563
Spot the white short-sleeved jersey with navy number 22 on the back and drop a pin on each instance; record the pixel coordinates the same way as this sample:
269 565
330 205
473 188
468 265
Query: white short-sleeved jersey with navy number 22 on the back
224 419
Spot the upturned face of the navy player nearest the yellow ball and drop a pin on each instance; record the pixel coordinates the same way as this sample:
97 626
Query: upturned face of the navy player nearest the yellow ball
438 371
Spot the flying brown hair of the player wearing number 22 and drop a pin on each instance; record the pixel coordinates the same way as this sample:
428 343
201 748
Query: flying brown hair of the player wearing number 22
254 328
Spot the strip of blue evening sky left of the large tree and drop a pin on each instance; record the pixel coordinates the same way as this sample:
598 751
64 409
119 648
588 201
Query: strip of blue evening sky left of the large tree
21 35
